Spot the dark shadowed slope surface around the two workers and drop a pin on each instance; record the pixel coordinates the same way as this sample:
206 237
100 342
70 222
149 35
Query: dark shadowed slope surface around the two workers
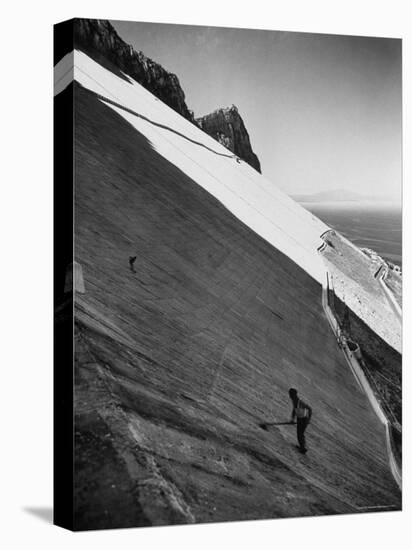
177 363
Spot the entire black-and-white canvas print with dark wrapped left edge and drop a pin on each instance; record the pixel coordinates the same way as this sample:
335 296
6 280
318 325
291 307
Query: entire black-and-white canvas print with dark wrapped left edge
228 274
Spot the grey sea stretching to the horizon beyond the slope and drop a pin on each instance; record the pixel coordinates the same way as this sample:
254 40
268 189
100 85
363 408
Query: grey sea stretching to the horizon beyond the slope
368 225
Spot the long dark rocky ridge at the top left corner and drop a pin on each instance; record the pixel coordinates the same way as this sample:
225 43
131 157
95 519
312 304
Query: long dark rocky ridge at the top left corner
99 39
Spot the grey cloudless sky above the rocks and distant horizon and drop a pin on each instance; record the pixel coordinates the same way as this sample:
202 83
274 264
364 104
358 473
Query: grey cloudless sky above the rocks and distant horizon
323 112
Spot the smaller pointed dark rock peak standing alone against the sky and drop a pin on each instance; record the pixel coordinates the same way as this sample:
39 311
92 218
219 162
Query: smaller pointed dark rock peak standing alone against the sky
228 128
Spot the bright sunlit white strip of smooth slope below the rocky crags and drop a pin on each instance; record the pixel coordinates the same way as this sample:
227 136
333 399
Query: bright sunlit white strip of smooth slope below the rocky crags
247 194
